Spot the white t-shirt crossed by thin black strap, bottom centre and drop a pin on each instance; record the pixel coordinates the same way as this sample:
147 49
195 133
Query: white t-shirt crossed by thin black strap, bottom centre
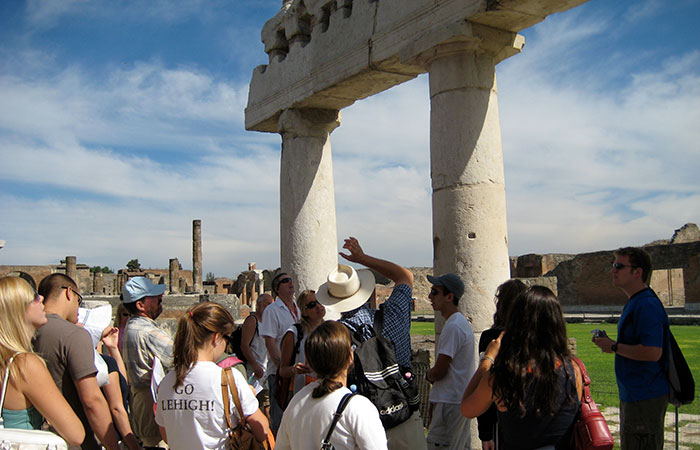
306 422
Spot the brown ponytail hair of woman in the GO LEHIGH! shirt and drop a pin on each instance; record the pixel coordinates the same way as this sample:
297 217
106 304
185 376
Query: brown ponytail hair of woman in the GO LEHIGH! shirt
197 325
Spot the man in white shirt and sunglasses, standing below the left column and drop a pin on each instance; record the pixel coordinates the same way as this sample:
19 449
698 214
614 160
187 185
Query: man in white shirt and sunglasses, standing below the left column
277 319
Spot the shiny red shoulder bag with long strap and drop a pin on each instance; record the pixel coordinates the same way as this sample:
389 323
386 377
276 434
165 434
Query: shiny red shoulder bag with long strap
591 431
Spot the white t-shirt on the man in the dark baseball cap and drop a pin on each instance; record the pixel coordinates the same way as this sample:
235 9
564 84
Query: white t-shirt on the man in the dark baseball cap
457 342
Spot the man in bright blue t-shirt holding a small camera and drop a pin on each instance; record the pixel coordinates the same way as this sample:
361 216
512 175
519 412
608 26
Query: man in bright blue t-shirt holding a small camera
641 332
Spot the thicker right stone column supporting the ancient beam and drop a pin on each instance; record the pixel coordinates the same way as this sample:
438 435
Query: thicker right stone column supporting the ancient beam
469 202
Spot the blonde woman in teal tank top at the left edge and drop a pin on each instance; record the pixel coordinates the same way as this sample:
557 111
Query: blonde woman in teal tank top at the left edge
31 392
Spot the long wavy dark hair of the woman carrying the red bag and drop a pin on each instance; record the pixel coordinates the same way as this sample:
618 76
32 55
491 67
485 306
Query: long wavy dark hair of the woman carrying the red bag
533 345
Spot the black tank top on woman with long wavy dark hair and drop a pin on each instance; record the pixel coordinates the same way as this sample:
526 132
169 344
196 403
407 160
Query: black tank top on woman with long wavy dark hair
532 431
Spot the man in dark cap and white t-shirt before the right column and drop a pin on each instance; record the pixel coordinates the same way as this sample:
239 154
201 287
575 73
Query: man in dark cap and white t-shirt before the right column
454 366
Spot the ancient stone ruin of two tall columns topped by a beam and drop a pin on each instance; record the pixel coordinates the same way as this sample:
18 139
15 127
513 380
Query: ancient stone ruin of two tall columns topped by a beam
325 54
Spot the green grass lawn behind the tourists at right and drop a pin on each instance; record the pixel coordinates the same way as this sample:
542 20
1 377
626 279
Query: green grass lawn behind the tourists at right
600 366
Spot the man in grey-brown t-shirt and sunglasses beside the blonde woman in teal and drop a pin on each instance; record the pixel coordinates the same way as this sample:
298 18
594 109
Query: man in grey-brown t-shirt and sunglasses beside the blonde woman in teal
69 355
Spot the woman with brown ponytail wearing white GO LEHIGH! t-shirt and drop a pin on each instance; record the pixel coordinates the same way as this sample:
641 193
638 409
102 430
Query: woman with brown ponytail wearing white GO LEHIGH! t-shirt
190 409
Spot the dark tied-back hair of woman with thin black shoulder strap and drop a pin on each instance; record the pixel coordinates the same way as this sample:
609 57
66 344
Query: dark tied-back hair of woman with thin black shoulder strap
328 349
